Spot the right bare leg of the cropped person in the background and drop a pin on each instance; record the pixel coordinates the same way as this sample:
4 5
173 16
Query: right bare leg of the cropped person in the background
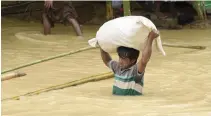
76 27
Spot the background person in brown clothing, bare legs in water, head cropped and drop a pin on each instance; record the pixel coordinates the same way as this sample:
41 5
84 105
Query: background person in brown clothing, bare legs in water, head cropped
61 11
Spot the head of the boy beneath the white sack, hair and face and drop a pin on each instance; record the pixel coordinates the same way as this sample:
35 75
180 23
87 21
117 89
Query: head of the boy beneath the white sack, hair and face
127 56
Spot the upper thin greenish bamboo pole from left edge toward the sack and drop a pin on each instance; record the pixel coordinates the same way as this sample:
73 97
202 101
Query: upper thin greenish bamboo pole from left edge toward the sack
47 59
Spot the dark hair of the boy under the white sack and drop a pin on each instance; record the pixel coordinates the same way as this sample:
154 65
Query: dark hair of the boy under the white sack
125 52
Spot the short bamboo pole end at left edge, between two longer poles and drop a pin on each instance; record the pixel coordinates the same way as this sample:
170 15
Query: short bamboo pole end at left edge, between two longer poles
12 76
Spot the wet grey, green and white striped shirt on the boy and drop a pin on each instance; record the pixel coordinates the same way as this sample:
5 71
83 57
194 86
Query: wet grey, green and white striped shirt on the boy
128 81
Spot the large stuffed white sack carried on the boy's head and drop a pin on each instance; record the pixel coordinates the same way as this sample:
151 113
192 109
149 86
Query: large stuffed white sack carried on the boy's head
128 31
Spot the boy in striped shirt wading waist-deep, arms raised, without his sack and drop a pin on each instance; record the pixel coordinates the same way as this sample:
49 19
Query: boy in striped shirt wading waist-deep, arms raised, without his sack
129 75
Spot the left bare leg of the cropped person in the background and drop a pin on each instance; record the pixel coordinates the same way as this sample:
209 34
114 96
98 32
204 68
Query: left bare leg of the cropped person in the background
46 24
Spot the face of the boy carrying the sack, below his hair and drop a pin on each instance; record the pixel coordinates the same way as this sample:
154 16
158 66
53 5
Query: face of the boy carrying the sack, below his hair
125 62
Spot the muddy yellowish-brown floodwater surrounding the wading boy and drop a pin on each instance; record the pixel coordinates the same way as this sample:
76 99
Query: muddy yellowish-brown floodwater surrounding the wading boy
178 84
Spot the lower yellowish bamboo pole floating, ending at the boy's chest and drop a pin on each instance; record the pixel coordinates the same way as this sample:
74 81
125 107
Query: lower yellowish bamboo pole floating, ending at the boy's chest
65 85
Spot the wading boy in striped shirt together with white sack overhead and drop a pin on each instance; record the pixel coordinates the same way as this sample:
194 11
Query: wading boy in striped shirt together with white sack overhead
129 74
